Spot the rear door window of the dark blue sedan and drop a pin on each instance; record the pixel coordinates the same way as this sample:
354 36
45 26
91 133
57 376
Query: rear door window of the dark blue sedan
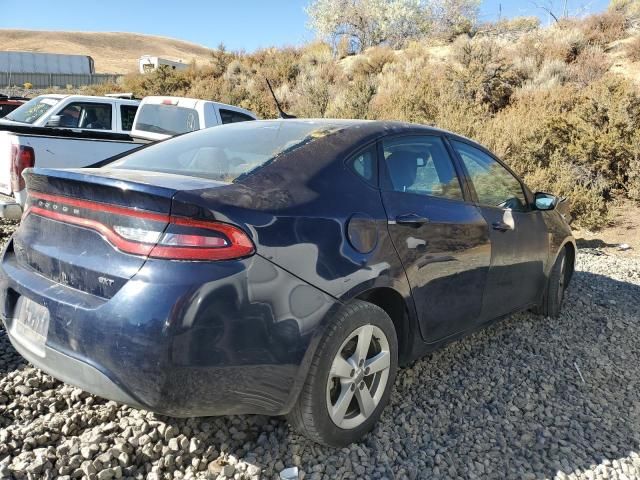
421 165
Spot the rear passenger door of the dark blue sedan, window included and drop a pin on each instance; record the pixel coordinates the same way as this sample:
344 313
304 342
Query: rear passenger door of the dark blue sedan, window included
441 237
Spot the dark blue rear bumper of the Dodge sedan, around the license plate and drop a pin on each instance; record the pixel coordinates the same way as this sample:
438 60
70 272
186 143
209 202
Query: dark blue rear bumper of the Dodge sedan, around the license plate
239 341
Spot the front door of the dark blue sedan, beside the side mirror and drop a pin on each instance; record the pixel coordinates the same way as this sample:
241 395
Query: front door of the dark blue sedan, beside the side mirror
519 238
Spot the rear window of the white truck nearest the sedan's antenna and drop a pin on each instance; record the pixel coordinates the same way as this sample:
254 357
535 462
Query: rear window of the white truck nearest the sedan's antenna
167 119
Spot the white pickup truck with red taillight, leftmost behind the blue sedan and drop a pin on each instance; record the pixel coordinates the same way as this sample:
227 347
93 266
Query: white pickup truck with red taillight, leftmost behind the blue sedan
63 131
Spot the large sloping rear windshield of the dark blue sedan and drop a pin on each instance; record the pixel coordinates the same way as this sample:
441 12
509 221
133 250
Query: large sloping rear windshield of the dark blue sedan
229 152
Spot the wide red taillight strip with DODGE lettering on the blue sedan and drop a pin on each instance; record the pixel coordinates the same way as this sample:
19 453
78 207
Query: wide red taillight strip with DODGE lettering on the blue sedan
173 238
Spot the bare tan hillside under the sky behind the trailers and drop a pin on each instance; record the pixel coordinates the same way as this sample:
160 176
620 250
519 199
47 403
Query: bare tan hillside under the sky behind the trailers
113 52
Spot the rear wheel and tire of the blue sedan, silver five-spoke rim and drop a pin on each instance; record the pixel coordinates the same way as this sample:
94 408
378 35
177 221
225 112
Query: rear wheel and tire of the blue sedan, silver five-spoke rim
333 407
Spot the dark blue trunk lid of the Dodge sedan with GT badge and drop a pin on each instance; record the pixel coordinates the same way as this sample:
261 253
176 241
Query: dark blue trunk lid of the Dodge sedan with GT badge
78 224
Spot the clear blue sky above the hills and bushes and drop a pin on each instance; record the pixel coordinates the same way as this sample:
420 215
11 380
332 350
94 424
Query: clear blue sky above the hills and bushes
239 24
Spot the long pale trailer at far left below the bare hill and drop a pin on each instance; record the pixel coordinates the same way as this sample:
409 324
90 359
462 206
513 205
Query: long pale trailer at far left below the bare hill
53 63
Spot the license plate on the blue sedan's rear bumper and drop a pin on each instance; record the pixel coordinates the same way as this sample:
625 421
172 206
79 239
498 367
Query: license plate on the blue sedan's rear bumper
31 324
